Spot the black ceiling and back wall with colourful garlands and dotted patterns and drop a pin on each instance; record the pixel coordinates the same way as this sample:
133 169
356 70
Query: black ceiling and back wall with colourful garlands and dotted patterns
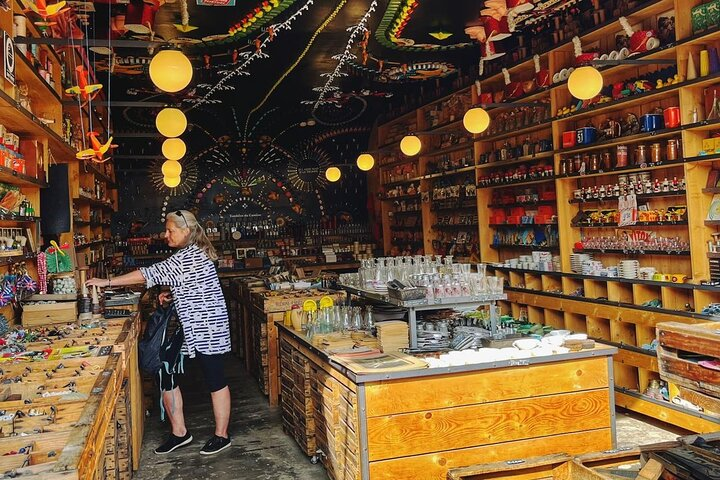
282 89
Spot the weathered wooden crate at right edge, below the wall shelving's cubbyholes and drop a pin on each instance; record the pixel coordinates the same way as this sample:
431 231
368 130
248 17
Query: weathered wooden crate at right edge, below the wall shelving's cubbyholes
680 347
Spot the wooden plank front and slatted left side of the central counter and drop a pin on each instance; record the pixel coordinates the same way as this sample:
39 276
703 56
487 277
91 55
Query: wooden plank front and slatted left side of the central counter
419 424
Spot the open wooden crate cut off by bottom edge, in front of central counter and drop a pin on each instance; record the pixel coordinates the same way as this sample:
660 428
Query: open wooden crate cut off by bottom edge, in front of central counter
549 467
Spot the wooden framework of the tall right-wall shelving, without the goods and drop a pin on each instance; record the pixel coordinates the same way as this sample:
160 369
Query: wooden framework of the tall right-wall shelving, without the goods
614 310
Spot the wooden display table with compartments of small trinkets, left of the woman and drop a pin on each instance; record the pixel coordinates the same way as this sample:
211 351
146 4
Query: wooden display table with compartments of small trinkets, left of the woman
78 406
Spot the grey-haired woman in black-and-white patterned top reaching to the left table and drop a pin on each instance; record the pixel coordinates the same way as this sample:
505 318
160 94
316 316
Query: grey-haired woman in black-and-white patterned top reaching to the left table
192 277
